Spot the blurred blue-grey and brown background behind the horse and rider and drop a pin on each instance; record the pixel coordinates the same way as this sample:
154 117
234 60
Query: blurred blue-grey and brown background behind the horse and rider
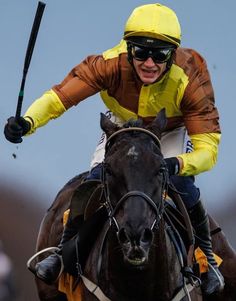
32 172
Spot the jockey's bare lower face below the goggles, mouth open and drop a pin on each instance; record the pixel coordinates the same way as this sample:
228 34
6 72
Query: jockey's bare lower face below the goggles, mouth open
149 71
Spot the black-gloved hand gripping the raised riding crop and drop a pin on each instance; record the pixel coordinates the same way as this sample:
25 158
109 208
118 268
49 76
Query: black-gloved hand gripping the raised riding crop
15 129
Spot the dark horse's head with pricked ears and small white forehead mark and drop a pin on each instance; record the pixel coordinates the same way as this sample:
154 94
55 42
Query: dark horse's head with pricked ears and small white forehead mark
134 175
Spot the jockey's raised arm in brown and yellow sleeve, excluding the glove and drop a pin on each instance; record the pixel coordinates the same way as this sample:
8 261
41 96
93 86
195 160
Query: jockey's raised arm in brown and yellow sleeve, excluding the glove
83 81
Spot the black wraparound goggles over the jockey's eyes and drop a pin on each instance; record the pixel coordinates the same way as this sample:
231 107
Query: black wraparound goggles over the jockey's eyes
159 55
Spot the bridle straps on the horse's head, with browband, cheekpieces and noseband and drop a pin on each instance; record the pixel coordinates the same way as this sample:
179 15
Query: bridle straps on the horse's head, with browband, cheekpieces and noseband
111 209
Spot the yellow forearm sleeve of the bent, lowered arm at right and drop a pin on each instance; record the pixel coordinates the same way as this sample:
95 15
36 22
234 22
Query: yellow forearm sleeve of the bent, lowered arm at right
204 156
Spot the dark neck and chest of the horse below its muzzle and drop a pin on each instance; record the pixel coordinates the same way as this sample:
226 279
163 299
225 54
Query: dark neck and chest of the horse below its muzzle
160 278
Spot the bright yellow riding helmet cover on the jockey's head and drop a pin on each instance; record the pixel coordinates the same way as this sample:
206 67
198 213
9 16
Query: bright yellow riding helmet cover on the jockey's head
154 21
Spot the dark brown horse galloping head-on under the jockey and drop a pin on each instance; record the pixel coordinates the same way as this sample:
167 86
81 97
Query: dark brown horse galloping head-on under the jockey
135 257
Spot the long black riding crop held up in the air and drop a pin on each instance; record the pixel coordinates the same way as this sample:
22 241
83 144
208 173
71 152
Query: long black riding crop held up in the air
29 52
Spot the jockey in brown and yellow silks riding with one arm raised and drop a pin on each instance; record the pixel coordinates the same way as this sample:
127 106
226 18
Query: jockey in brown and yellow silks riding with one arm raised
145 72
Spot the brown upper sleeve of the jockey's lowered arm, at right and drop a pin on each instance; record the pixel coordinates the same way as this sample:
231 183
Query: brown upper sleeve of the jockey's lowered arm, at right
198 104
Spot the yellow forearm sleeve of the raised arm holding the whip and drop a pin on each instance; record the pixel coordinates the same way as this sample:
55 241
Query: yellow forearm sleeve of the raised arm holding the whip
43 109
